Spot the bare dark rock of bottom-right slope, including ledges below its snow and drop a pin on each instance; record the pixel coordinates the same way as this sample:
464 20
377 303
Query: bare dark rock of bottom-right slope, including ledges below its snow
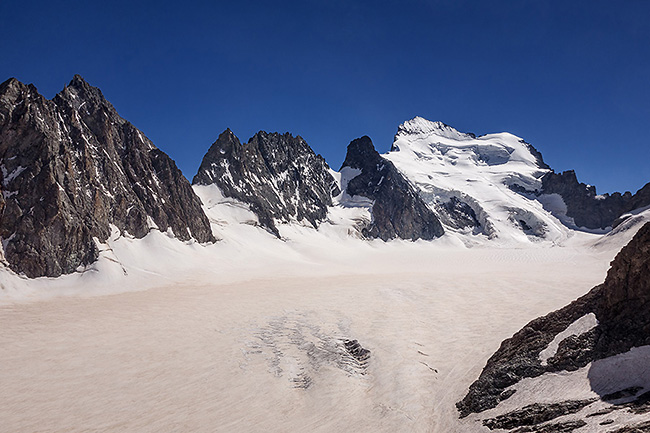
621 310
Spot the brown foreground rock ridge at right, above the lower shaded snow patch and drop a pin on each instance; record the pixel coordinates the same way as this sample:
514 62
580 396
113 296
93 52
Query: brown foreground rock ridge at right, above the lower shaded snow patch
621 305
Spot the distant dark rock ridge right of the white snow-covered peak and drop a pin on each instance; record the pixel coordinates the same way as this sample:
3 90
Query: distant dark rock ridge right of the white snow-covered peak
585 207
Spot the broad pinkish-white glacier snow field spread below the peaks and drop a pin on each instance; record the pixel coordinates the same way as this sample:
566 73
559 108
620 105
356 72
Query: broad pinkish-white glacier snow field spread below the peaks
248 334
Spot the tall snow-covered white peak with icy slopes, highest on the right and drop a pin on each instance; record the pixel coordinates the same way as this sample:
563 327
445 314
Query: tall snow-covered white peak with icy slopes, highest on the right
496 175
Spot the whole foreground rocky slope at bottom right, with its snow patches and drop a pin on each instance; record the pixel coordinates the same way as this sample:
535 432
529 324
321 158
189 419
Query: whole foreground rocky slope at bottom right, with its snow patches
596 347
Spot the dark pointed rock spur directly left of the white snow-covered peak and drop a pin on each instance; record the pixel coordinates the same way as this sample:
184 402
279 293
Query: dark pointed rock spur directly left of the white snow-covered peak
398 211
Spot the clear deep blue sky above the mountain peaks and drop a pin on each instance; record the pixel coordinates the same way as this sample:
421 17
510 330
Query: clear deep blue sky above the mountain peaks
570 77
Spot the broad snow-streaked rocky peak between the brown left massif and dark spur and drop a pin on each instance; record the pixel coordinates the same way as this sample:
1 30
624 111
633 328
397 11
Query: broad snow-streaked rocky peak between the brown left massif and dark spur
279 175
